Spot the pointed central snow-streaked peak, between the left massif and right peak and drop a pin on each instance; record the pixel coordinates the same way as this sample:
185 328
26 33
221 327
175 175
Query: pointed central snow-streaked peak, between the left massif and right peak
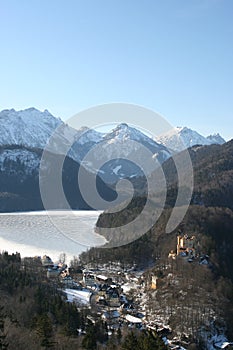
120 148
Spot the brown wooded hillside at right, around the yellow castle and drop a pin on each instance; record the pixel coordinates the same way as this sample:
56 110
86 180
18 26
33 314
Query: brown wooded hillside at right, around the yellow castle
193 297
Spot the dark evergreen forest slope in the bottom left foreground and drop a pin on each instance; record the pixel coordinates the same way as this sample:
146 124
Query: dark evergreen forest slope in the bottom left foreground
35 314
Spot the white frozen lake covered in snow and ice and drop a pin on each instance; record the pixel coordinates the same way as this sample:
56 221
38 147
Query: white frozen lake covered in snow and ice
50 233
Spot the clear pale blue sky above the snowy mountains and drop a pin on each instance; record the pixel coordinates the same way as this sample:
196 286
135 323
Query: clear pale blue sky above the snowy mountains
174 56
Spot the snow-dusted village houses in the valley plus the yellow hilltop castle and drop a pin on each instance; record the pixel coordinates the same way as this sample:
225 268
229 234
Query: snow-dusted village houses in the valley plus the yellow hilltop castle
117 295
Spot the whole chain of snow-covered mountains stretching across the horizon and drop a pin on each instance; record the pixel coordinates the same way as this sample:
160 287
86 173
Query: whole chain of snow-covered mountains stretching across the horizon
32 128
